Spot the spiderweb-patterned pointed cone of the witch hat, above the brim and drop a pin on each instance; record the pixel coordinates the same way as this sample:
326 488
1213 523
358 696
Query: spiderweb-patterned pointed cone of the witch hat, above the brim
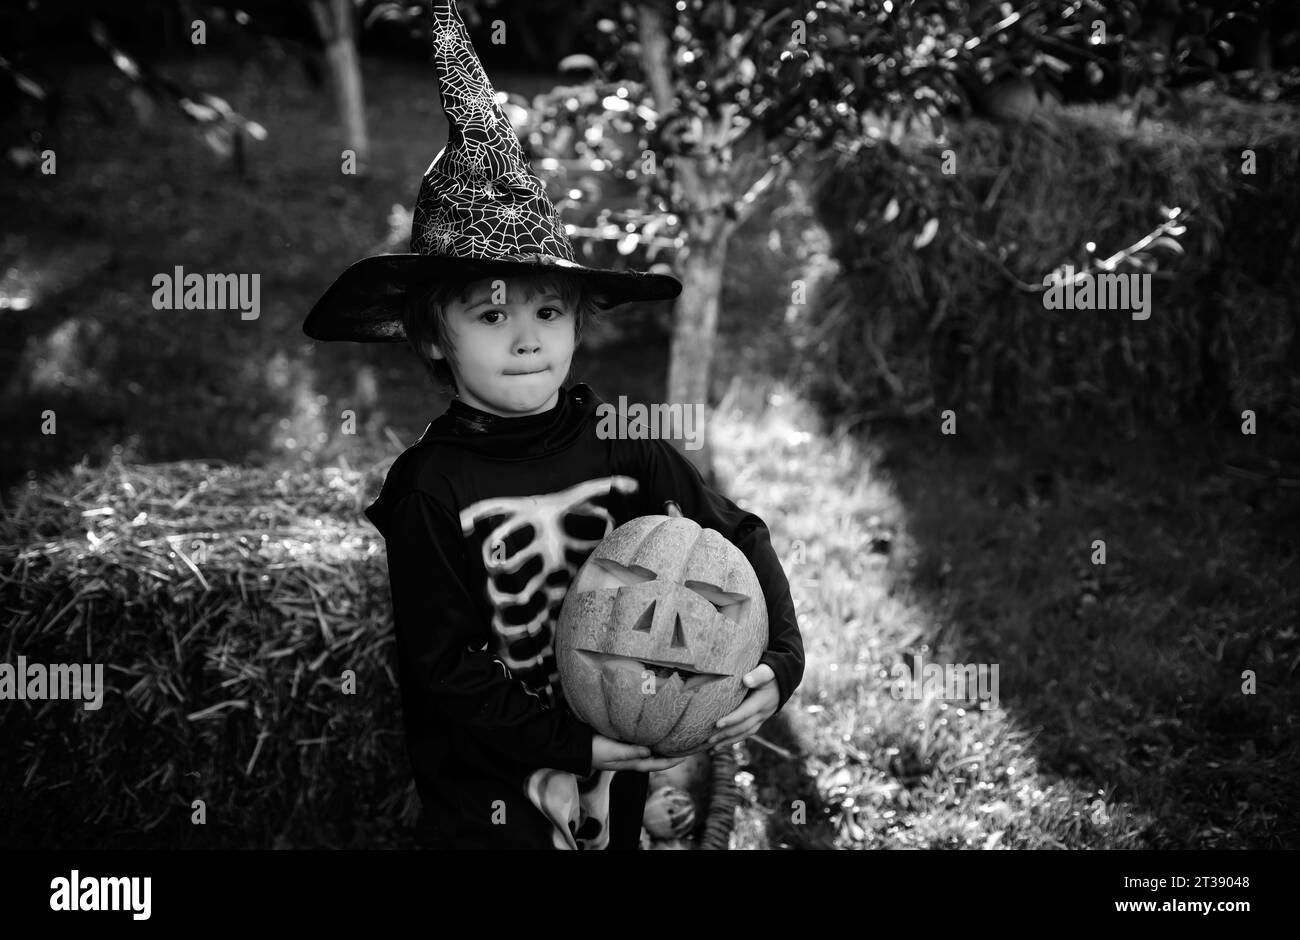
479 197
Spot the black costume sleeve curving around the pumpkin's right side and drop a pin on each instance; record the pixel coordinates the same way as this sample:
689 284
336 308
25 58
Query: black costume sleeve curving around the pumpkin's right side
669 475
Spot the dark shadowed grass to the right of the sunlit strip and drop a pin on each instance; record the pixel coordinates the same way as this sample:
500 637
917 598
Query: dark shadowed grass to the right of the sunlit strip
1164 678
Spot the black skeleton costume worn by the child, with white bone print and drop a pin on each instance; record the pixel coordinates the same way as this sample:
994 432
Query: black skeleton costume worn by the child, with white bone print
487 522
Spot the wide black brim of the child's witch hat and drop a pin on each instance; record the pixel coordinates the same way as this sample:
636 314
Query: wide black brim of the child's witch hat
365 305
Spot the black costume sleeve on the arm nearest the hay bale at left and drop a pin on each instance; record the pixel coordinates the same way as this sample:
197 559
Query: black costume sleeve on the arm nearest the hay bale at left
439 636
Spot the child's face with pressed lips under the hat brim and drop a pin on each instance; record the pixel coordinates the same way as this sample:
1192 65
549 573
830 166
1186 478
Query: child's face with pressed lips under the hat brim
512 346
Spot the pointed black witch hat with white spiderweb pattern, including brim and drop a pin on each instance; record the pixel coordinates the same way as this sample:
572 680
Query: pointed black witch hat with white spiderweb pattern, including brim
480 214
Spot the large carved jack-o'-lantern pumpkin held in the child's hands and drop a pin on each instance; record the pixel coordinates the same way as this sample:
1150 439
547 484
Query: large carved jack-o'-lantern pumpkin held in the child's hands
657 631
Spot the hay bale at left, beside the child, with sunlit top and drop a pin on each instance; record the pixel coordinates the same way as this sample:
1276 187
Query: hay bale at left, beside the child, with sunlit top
226 605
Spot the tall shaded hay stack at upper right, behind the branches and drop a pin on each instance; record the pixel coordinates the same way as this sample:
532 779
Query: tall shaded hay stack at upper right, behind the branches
960 323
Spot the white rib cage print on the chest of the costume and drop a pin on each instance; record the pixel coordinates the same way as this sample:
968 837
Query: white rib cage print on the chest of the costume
531 560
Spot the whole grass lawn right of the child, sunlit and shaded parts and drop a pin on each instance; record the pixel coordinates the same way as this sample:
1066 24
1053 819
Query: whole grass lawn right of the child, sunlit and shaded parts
1121 721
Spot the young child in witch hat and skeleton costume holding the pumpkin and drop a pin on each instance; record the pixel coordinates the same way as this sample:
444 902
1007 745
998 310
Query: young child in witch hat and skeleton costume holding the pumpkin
489 516
